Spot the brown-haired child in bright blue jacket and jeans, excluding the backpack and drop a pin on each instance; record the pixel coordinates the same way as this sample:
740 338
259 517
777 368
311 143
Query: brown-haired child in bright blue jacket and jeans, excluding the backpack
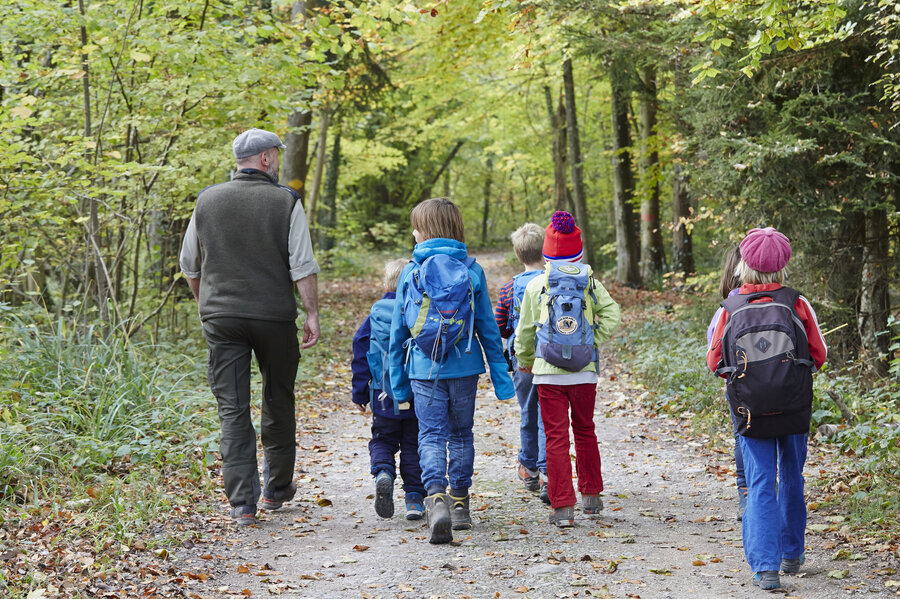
444 389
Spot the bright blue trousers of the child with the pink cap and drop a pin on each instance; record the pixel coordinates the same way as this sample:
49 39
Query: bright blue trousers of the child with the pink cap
774 524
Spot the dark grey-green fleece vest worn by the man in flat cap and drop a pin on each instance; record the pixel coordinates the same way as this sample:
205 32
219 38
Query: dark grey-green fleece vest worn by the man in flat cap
243 230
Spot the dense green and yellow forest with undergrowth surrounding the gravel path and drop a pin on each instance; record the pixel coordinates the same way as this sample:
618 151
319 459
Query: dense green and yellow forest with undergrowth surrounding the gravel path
668 127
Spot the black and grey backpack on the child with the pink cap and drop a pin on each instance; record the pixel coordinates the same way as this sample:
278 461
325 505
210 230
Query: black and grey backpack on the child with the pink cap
767 366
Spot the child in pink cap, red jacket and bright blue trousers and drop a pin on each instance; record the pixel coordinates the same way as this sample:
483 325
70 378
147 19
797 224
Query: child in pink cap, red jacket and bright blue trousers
774 522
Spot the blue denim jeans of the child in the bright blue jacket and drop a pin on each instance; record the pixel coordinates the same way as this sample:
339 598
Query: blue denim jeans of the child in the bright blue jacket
446 413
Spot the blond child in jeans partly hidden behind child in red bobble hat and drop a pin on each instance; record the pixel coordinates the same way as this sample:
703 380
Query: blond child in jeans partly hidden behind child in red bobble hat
528 243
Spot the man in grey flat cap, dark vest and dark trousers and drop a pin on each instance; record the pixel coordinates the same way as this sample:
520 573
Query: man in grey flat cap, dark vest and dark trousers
247 241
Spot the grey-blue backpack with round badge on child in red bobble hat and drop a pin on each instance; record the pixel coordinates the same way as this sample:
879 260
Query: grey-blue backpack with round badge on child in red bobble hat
566 338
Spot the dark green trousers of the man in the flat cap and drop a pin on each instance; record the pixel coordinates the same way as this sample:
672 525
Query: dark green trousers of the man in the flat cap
230 341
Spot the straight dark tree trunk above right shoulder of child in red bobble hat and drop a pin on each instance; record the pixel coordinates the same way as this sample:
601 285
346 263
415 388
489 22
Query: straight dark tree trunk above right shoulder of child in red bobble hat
623 183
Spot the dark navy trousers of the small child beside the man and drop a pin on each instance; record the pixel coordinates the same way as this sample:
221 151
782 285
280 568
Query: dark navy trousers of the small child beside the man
390 435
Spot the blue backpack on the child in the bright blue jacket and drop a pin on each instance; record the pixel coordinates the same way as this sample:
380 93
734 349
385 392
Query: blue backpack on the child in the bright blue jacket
439 305
